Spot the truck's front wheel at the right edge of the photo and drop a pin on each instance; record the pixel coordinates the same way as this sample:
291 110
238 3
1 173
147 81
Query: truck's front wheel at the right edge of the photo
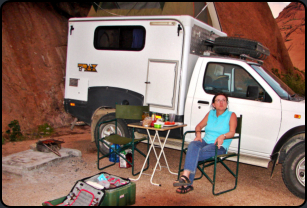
293 170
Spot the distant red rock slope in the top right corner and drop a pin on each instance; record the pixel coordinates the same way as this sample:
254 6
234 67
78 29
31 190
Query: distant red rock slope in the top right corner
291 22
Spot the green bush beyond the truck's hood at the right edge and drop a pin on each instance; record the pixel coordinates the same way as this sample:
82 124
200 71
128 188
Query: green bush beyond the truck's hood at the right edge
293 80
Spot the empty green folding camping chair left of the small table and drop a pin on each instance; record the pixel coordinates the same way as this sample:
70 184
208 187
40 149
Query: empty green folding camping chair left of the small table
122 112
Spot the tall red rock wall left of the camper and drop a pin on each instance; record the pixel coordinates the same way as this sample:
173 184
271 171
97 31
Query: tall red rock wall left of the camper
34 40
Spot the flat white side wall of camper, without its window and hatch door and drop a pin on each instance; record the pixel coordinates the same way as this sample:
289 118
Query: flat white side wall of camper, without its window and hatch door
122 69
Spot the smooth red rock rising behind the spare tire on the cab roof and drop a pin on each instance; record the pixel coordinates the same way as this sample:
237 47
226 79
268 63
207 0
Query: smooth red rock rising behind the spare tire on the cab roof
254 20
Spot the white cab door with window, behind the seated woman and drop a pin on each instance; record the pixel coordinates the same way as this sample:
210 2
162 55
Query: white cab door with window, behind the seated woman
261 109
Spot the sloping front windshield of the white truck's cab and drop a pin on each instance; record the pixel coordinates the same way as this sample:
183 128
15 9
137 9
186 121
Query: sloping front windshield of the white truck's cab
278 86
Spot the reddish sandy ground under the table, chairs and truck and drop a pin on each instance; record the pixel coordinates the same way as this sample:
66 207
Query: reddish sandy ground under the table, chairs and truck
255 187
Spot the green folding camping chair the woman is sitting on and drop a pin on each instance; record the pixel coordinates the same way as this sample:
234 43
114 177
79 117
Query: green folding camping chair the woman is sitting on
216 159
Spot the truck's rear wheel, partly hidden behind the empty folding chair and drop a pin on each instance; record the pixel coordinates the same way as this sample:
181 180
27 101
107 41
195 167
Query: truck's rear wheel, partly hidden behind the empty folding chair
109 128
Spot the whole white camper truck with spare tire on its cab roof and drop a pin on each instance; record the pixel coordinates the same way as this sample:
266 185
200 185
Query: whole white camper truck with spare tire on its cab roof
163 61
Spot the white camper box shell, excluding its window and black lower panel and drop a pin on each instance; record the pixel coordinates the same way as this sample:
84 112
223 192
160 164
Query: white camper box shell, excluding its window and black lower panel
130 69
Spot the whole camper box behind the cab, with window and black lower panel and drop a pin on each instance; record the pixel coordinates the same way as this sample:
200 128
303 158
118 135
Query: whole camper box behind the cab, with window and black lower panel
157 73
